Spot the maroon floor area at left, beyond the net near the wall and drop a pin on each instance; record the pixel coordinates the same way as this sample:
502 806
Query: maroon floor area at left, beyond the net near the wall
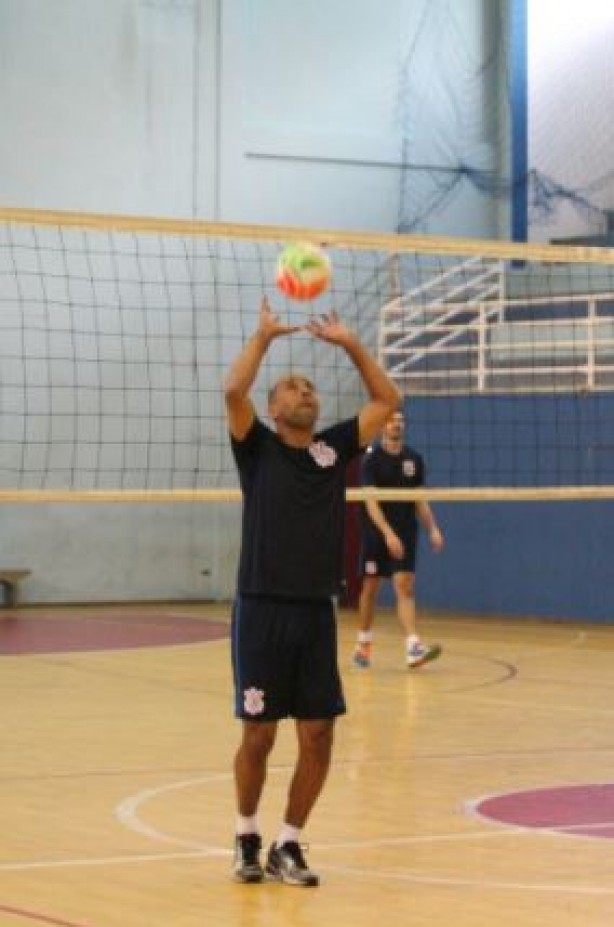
106 630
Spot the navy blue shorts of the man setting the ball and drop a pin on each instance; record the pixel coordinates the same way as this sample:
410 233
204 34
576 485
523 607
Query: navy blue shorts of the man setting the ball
284 659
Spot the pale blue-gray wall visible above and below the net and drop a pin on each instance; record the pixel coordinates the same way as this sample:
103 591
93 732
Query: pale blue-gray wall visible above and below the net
241 110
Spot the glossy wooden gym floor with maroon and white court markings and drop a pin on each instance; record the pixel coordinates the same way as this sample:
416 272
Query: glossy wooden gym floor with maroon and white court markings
475 791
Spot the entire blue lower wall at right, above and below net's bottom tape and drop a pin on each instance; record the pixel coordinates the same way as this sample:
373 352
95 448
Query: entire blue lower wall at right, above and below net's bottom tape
551 559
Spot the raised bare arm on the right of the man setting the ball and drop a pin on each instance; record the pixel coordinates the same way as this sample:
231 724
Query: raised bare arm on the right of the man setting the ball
384 396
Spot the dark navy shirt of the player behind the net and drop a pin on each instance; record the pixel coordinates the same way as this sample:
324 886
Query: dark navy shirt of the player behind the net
393 471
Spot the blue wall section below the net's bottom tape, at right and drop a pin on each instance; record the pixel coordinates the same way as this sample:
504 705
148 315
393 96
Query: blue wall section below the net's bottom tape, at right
527 559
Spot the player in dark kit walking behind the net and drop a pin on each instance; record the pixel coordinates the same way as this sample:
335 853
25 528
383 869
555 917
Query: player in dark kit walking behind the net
389 539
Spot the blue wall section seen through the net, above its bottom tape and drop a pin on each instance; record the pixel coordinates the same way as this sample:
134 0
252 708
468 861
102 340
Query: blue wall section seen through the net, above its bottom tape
554 439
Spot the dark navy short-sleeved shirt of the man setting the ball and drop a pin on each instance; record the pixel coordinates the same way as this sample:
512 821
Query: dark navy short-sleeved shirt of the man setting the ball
293 511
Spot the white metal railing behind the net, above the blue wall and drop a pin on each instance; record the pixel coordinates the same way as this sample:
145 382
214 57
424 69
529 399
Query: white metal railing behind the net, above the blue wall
541 344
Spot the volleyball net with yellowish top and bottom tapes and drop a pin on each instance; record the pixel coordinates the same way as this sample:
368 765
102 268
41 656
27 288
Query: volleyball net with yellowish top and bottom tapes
116 332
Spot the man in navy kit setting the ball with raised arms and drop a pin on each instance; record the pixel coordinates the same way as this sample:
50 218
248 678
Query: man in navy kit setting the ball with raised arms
284 648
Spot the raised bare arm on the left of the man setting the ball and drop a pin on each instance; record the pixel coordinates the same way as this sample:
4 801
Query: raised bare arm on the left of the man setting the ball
244 370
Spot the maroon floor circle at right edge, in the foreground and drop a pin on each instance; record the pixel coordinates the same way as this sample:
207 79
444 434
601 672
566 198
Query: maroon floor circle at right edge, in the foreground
581 810
